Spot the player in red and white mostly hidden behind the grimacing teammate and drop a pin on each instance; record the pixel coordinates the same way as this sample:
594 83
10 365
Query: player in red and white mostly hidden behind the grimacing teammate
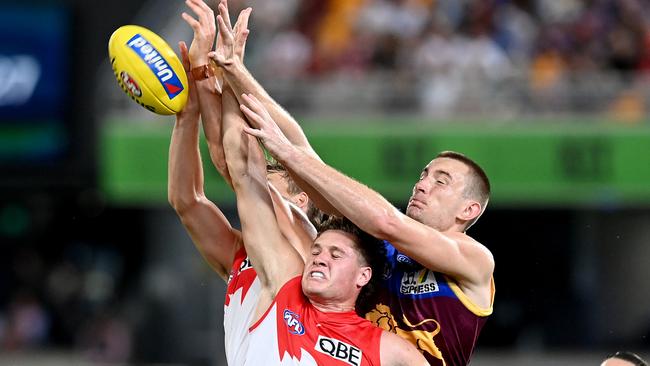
212 234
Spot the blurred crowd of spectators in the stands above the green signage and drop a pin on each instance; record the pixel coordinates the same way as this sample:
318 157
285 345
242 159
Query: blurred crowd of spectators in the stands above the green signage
458 53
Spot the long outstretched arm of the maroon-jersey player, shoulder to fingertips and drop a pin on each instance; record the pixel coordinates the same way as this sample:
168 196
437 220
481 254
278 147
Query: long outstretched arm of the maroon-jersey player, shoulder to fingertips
454 254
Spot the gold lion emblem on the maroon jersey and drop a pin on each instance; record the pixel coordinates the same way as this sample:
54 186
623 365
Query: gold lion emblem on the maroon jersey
382 317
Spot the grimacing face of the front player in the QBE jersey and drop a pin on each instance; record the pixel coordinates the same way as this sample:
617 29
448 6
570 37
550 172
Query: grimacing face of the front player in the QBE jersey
333 272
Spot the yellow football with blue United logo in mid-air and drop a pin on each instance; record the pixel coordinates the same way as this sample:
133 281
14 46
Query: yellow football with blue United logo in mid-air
148 70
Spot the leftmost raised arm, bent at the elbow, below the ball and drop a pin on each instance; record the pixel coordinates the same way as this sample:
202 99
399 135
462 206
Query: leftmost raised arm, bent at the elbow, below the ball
209 229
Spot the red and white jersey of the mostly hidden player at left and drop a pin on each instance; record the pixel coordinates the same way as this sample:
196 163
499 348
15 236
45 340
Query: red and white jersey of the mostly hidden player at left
241 300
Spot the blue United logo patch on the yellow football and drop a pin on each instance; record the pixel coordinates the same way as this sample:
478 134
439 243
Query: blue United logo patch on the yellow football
158 65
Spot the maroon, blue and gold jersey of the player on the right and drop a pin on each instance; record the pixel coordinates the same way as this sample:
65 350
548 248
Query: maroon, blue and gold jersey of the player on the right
429 310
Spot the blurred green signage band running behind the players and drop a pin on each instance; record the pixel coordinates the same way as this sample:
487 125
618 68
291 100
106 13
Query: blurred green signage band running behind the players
569 164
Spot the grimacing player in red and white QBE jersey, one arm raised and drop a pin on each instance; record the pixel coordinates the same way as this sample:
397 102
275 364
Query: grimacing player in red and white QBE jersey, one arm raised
305 312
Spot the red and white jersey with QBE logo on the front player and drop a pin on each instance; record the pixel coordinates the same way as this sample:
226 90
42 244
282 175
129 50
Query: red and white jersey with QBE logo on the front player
293 332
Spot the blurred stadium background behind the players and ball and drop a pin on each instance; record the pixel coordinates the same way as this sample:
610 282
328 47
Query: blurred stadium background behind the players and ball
550 96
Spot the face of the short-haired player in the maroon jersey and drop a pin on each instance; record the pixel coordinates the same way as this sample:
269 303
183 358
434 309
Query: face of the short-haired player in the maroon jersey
437 197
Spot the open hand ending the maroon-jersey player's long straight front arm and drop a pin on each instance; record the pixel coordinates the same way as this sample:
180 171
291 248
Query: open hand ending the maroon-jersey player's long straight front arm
263 126
